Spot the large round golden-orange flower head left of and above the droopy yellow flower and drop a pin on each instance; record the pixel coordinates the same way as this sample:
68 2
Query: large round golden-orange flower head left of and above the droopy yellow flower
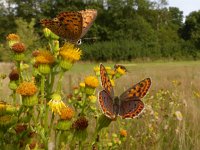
26 88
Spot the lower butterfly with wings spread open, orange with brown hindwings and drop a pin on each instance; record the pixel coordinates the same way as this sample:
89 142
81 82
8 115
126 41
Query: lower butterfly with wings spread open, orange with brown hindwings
128 104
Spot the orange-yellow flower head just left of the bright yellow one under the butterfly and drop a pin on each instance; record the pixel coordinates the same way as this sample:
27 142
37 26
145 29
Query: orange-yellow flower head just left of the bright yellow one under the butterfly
44 57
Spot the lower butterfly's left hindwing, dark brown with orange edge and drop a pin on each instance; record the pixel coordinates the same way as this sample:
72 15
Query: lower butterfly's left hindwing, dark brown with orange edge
106 103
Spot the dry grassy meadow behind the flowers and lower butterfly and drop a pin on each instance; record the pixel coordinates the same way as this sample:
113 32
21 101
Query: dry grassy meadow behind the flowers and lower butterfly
172 115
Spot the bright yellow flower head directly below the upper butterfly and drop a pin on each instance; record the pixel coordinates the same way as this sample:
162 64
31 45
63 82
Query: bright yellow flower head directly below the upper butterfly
70 52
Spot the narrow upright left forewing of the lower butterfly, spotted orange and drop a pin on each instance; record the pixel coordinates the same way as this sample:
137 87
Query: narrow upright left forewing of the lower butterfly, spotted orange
105 81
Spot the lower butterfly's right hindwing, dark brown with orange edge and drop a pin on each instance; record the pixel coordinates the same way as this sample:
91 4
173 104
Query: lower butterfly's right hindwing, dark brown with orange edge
131 108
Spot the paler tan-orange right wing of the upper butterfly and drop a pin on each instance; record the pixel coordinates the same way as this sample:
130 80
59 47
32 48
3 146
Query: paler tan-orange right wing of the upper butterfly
89 15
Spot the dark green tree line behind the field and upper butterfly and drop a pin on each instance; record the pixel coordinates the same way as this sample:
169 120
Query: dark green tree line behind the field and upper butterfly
123 30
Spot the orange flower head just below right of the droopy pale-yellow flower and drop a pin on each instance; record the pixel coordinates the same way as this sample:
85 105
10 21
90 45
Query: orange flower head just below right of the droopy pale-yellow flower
66 113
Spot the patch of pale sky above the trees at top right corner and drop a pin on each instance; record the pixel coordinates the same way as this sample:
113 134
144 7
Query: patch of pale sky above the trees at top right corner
186 6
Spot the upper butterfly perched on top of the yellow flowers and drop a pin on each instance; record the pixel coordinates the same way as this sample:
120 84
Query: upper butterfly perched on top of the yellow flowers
71 25
